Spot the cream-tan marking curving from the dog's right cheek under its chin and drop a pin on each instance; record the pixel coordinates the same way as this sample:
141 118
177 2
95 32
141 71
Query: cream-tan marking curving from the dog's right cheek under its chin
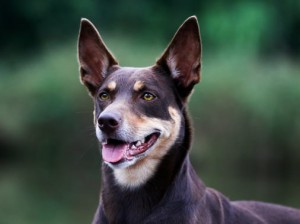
140 172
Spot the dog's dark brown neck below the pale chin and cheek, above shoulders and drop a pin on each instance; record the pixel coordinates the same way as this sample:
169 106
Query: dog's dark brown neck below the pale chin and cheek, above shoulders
174 175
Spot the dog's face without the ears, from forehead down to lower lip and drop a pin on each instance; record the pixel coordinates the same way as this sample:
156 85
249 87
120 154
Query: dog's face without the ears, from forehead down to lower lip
133 116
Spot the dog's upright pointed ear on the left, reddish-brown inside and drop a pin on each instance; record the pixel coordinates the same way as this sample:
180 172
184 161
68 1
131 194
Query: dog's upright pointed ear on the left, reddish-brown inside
94 57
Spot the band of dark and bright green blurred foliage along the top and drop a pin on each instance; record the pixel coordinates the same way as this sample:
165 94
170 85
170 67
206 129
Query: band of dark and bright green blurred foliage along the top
260 26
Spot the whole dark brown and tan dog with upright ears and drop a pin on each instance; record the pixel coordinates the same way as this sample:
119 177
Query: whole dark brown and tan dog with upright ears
141 121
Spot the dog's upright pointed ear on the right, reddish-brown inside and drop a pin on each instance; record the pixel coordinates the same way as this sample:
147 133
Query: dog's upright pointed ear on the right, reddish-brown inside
183 57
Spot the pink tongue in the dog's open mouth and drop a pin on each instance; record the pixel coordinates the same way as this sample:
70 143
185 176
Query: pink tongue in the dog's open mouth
113 153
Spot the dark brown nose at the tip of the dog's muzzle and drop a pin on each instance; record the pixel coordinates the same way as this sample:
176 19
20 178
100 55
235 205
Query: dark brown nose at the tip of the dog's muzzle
109 122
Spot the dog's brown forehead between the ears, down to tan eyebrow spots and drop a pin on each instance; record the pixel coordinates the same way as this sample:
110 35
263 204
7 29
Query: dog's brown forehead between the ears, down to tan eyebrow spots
134 78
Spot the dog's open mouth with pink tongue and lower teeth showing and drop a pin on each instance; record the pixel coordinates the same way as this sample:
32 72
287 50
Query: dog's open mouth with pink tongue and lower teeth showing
118 151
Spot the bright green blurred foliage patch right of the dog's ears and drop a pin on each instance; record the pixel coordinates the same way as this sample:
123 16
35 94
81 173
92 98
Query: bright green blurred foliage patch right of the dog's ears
243 26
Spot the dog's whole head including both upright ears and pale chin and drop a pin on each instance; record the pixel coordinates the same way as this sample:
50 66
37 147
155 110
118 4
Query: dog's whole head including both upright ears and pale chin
137 112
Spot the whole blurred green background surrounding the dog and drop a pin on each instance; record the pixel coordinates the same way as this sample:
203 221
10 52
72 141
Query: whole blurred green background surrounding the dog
246 111
